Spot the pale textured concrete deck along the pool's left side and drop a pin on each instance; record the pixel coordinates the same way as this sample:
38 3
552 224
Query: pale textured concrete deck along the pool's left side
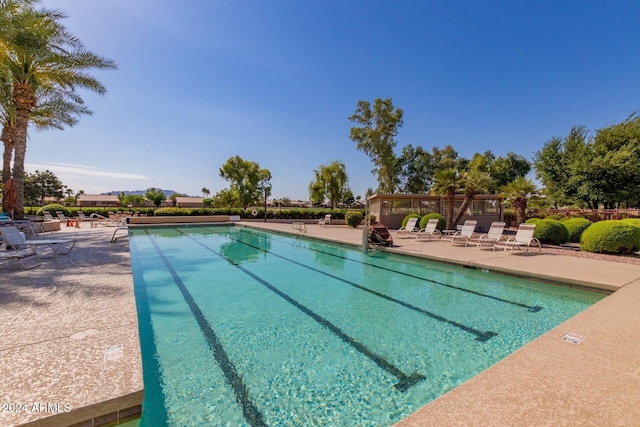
69 346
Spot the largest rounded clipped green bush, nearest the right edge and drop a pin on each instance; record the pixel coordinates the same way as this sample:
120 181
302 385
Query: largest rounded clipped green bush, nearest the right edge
610 237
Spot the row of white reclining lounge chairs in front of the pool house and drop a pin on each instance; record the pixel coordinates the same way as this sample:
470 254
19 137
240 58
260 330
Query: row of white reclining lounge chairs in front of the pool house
468 236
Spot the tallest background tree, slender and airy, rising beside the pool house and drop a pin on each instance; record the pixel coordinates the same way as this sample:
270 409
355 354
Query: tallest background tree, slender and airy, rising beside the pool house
376 138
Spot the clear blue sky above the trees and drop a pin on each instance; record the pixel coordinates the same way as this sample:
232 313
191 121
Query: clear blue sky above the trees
274 82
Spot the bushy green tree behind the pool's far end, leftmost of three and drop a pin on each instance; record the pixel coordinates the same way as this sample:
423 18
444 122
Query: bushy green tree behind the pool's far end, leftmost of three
245 179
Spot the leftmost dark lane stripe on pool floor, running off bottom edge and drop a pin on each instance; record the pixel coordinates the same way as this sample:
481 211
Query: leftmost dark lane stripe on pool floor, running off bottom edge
253 416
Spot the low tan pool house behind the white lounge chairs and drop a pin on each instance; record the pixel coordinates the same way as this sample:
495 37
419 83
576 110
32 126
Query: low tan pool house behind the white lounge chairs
390 209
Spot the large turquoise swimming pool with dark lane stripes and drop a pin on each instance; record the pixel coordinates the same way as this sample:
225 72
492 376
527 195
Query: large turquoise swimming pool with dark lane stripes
243 327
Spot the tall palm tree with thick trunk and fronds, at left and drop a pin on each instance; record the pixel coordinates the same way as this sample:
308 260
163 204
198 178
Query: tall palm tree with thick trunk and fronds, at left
40 55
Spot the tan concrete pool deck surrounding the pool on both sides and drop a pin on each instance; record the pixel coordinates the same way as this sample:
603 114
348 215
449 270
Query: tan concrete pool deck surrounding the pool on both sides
63 323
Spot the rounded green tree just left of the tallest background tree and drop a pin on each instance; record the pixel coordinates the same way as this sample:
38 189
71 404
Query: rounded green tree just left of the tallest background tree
331 182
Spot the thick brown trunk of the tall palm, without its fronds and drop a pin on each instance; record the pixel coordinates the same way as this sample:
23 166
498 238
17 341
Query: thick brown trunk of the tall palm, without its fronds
24 100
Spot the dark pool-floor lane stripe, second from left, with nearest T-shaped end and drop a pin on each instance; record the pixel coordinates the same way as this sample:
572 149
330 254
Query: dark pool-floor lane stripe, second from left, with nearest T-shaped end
405 381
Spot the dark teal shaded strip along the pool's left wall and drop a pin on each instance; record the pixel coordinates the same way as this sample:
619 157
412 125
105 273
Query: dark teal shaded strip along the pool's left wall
150 364
